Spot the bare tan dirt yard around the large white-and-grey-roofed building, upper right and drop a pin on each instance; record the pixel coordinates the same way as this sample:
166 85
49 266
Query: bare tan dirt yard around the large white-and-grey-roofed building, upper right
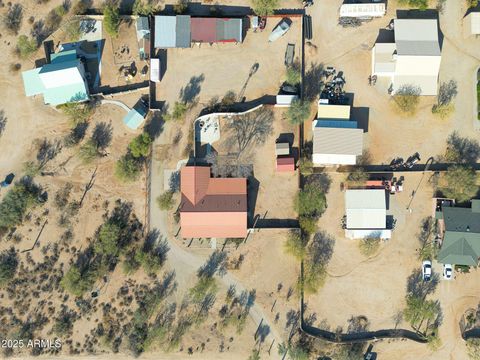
390 134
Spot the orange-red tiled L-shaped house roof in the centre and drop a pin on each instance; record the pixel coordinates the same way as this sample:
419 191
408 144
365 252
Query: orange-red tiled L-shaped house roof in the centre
212 207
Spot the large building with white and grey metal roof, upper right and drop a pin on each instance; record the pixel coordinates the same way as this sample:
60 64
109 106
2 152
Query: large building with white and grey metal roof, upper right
413 59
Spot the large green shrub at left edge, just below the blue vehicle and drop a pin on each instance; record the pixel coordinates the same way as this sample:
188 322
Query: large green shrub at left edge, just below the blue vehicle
17 201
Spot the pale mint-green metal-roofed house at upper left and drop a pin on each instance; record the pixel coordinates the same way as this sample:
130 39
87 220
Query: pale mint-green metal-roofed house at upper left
61 81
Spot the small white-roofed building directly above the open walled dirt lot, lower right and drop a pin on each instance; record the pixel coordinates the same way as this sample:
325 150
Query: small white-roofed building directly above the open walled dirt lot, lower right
366 212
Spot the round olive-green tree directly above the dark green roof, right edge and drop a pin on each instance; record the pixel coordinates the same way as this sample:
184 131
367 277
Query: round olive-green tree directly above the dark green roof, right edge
459 183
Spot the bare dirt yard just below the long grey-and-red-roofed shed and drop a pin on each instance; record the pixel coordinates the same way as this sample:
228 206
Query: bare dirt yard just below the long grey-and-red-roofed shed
212 70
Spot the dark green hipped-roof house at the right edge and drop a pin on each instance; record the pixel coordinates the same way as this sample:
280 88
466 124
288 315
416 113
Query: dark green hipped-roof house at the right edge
461 241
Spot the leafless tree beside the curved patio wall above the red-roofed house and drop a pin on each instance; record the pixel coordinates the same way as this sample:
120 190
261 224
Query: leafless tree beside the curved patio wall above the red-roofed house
250 129
